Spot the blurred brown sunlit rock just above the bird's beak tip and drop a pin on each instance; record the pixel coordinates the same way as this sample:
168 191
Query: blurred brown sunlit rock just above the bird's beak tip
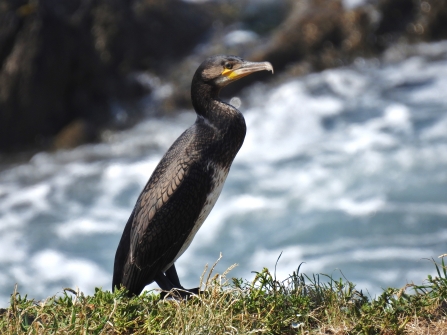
321 33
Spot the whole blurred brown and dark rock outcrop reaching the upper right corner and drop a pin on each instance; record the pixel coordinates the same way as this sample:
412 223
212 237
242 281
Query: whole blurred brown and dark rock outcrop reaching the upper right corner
319 34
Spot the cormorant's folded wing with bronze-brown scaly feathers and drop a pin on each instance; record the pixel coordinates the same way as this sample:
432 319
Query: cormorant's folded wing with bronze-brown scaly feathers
169 205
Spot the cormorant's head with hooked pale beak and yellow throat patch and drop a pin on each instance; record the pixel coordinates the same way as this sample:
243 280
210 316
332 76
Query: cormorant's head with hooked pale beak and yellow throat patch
221 70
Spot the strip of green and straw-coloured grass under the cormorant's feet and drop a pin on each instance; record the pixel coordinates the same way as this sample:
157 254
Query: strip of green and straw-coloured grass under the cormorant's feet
317 304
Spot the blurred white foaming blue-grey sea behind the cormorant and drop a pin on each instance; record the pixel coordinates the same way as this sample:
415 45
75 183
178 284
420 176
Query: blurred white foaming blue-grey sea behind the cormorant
344 170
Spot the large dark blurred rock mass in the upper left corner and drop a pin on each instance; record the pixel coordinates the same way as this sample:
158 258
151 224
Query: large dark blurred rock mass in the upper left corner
61 62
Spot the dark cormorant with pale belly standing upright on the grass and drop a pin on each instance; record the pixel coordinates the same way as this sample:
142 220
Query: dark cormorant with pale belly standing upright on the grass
186 183
